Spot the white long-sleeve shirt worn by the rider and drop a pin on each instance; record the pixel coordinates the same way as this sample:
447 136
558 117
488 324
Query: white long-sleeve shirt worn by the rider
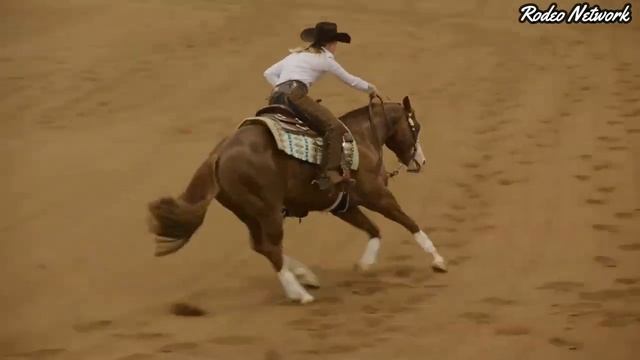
309 67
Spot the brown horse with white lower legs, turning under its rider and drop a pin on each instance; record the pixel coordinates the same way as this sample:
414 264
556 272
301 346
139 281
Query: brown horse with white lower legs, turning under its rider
252 177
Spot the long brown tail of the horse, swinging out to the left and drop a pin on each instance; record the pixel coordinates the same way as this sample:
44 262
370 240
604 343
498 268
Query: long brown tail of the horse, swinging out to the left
175 220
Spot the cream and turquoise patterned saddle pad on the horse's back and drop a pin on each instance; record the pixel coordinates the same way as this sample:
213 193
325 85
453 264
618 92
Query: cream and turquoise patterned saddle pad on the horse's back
303 147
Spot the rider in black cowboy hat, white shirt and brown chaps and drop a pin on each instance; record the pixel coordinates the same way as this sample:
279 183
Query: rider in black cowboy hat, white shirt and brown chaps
291 78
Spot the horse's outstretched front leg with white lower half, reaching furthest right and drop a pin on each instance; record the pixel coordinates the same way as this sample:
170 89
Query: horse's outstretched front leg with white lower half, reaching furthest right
384 203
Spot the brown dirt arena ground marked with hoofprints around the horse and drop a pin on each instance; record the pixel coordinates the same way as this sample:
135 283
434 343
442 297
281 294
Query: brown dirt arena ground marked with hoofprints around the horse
532 190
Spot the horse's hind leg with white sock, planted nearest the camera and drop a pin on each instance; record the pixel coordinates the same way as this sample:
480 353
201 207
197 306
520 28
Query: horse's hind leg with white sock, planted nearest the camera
270 245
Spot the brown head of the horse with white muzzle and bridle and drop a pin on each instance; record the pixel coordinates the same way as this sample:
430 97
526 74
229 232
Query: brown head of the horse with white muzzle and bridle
403 140
